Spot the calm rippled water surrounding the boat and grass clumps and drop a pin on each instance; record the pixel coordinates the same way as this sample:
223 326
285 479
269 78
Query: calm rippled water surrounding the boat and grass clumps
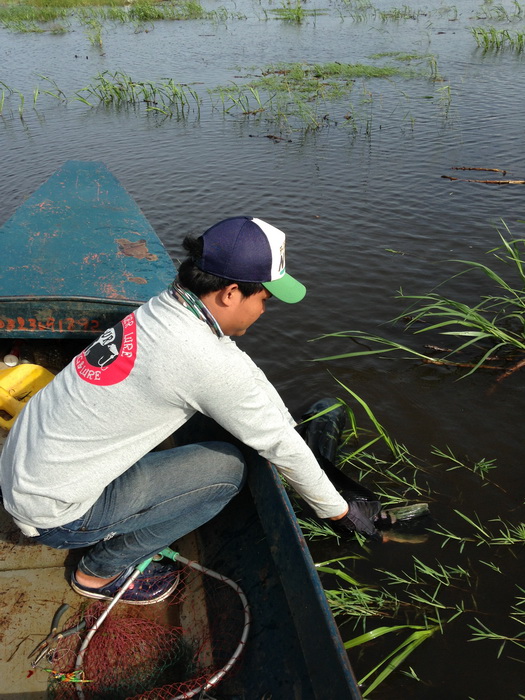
347 198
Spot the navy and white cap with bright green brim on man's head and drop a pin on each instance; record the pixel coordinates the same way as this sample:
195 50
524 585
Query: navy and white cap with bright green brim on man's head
245 249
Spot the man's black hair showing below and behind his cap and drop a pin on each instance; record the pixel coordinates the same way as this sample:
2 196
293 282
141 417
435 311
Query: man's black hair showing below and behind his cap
201 283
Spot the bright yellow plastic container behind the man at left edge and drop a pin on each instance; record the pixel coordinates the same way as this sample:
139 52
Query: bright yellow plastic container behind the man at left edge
17 385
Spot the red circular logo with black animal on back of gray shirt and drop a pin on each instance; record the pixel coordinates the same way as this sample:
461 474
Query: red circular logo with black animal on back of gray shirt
110 359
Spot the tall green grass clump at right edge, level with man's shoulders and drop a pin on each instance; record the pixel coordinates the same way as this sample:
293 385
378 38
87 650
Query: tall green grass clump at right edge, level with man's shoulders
493 328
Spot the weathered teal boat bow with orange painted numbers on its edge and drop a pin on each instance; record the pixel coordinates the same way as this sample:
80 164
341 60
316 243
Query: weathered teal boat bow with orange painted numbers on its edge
78 255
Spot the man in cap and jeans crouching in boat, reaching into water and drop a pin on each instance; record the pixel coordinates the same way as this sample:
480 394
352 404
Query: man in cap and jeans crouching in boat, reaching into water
77 469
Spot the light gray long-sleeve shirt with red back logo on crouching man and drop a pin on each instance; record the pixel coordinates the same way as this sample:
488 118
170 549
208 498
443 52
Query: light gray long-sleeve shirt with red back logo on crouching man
129 391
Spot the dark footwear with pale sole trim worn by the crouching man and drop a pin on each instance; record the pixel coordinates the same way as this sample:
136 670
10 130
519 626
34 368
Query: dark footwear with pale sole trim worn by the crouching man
155 584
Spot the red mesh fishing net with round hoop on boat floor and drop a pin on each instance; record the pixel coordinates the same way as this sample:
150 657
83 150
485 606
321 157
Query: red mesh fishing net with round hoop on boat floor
173 649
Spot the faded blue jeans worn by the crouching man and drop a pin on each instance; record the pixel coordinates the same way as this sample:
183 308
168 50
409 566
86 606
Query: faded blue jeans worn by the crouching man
162 497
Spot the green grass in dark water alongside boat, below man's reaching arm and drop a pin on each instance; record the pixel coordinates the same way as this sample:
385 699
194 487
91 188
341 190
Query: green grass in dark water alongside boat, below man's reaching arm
428 597
